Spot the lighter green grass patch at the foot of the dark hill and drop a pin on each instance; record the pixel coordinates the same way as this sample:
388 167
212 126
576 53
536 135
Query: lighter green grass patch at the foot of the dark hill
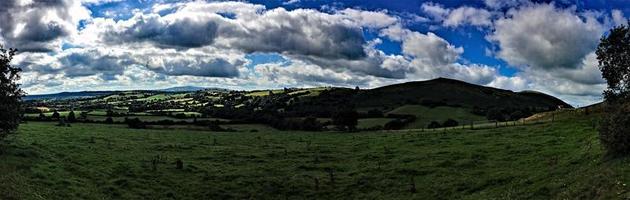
424 115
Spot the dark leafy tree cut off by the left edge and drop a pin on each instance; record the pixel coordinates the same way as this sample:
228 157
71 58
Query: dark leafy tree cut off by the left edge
10 93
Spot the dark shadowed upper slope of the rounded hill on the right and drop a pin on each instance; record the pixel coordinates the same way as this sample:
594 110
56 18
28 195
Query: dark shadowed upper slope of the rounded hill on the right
454 93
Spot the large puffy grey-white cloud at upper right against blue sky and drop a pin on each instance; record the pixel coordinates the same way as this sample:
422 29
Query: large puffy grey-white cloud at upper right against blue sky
543 36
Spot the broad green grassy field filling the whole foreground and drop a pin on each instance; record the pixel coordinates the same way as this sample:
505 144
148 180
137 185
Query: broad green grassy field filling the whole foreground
560 160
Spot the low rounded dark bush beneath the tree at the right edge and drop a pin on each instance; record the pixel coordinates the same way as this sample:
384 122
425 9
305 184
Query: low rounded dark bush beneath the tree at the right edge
613 132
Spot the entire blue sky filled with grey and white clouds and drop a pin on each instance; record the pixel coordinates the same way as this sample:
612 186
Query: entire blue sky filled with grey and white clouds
79 45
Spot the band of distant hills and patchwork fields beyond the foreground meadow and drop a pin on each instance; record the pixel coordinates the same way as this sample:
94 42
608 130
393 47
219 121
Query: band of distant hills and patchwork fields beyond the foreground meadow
418 104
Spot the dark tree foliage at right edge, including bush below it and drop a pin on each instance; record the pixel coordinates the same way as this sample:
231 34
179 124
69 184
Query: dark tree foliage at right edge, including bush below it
613 54
